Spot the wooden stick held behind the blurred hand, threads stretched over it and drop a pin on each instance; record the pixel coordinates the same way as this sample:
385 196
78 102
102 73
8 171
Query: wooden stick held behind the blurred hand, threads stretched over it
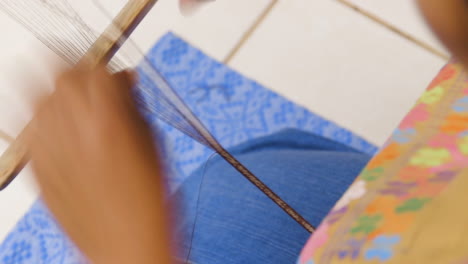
15 157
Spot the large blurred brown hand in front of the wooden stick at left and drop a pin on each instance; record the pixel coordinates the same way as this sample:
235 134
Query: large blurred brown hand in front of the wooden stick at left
95 162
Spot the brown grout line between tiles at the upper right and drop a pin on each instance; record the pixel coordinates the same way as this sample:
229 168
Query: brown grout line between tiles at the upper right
396 30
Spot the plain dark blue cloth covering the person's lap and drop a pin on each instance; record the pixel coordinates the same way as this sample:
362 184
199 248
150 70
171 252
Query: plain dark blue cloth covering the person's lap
236 223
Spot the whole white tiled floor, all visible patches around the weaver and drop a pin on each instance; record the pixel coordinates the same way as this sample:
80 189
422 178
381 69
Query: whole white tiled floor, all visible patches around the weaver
321 54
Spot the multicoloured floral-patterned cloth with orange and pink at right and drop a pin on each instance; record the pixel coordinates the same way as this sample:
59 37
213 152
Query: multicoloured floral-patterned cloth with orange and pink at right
406 206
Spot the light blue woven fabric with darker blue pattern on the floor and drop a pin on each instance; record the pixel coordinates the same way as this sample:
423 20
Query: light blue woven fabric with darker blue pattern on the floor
234 108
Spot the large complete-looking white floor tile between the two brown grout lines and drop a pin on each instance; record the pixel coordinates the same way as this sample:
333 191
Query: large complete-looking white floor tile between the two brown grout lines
346 68
